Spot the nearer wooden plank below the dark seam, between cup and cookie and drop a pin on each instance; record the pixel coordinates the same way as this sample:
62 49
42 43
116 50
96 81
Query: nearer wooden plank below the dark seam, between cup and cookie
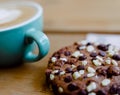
29 79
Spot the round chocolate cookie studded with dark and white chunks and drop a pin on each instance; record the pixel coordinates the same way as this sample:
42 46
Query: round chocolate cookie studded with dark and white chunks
85 68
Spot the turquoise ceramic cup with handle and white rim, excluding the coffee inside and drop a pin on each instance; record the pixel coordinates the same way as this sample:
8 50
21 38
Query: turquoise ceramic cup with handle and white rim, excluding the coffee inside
17 42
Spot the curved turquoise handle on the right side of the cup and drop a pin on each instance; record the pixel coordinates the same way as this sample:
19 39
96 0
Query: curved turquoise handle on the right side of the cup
42 42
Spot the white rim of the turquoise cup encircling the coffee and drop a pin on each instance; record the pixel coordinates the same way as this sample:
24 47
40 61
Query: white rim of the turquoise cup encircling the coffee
30 3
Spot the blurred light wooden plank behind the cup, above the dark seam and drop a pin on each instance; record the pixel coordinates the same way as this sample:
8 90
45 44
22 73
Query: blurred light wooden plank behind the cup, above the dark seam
81 15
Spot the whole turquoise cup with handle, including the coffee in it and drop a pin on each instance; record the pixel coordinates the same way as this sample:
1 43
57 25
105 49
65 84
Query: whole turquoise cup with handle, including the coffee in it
21 25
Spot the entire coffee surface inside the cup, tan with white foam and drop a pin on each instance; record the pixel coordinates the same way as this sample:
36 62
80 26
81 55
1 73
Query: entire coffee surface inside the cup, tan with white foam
15 14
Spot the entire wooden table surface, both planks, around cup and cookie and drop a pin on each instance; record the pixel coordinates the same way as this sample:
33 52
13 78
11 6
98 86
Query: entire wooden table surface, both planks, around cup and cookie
62 17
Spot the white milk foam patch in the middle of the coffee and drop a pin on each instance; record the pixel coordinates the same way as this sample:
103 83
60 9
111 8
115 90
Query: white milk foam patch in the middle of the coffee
9 15
